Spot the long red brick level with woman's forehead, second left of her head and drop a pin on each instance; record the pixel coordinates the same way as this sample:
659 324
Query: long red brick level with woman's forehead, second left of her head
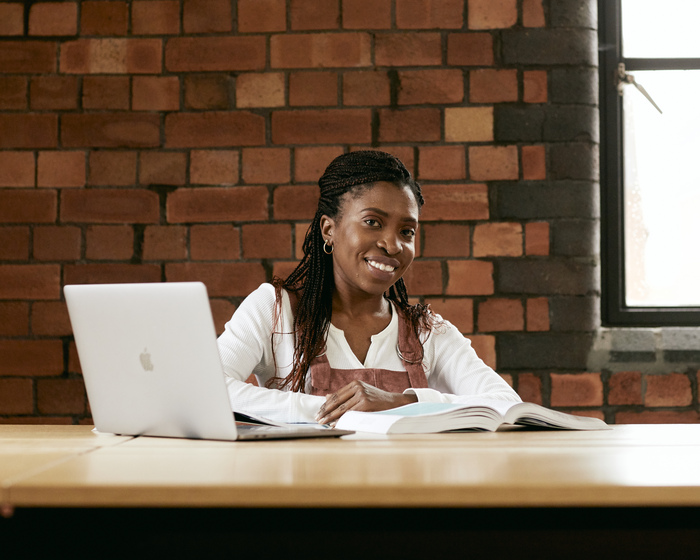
211 204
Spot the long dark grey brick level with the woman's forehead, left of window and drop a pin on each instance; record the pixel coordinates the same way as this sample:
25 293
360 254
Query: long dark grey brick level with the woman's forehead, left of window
562 199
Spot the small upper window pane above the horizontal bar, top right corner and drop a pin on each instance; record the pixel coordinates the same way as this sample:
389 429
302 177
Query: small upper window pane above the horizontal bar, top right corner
654 29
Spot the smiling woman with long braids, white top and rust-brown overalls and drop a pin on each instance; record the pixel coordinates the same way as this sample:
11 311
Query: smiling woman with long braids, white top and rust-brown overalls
339 333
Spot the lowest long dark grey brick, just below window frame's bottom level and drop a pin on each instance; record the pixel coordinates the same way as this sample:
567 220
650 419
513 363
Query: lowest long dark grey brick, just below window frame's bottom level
543 351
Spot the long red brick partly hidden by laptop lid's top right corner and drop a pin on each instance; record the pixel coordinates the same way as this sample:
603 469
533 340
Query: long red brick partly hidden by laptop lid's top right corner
221 279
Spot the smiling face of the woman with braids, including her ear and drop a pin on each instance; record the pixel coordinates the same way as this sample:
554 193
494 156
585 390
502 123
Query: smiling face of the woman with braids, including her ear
373 238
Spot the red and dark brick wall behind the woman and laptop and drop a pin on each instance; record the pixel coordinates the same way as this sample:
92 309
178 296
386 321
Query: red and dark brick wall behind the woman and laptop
172 140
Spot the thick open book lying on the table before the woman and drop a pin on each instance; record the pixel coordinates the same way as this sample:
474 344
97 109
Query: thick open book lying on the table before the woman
476 414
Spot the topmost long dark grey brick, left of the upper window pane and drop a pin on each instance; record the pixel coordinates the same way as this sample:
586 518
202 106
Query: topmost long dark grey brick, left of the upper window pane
569 47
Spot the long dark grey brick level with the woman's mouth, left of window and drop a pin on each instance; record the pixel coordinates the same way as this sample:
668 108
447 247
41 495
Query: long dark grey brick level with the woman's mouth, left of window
566 277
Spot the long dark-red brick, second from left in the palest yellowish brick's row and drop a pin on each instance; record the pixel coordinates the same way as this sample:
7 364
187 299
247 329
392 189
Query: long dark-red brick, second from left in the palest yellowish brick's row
110 130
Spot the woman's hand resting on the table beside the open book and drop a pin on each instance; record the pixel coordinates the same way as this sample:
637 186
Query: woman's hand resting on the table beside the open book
359 395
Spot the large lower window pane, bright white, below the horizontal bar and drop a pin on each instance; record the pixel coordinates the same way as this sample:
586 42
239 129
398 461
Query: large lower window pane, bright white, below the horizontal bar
662 190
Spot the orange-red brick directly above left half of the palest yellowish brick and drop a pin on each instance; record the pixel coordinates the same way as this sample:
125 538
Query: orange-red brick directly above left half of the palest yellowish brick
418 87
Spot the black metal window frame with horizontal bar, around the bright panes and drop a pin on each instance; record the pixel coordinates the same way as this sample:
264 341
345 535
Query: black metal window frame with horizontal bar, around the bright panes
614 311
